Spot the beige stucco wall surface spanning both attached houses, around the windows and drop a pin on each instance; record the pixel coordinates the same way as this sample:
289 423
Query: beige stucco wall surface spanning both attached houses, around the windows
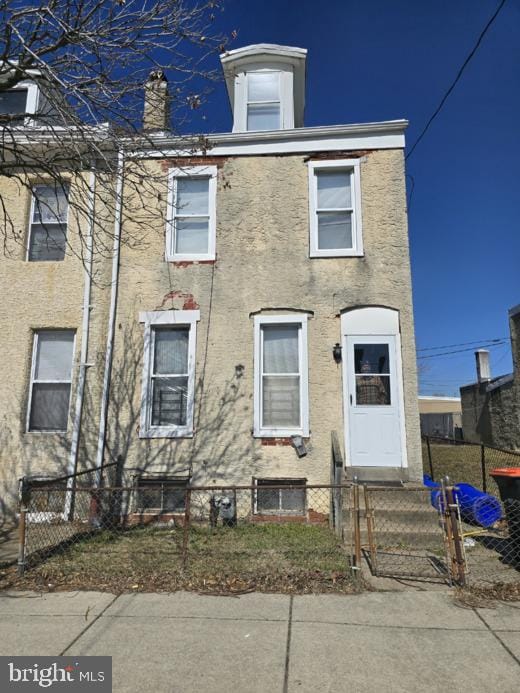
262 264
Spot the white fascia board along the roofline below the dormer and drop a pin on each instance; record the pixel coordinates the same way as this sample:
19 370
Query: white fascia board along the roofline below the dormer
386 135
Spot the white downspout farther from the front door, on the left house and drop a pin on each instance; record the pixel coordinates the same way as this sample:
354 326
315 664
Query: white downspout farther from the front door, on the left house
83 365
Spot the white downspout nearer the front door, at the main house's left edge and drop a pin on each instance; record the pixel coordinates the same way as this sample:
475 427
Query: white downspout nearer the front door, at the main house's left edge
111 320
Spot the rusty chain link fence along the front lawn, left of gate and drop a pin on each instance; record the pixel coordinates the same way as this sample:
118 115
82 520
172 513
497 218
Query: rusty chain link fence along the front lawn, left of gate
169 536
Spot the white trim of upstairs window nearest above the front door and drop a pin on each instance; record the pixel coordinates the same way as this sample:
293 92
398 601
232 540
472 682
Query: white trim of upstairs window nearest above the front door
357 236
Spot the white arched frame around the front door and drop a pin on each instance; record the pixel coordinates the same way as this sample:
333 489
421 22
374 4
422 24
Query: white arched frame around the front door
373 321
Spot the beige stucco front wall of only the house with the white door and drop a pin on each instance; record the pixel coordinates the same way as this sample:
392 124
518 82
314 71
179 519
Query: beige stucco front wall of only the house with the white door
263 265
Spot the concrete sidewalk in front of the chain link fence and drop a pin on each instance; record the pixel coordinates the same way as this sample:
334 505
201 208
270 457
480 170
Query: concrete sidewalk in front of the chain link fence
380 641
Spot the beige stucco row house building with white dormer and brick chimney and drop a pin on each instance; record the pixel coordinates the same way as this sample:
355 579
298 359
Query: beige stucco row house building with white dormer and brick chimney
257 299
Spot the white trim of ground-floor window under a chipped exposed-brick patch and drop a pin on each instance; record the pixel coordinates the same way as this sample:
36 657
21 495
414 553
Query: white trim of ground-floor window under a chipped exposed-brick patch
151 319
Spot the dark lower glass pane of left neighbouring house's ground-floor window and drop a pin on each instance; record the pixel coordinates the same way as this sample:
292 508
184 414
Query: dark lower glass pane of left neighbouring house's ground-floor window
49 407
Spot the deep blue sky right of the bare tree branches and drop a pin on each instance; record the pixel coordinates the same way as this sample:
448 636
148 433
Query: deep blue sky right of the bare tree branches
374 60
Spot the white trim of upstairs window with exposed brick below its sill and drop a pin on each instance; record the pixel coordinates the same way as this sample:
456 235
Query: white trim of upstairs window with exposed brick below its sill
191 172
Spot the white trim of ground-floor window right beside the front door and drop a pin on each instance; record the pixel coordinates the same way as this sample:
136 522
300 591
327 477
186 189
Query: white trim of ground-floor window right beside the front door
260 431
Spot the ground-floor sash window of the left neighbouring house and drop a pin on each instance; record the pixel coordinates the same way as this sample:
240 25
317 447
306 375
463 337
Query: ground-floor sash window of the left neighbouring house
51 376
